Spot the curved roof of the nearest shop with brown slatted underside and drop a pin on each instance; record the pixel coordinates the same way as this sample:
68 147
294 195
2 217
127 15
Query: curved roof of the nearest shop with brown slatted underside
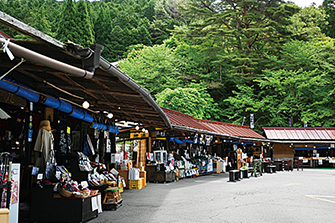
108 90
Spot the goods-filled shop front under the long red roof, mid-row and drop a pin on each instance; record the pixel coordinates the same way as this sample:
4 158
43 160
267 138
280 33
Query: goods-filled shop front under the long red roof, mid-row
182 154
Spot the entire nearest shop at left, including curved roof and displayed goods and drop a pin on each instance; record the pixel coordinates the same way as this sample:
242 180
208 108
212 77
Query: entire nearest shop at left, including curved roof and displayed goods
60 105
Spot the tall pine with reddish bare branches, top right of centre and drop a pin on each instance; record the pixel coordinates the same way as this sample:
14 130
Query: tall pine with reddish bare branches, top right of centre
240 33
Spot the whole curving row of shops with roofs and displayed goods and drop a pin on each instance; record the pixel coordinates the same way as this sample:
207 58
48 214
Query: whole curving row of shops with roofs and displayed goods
70 162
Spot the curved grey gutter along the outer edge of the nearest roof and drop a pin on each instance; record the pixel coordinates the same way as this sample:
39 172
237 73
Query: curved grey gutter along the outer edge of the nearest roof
107 66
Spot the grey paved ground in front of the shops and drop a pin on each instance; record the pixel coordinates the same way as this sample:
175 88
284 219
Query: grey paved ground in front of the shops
304 196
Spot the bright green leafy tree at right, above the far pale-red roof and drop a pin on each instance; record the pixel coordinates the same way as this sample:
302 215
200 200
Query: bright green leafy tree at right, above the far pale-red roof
299 88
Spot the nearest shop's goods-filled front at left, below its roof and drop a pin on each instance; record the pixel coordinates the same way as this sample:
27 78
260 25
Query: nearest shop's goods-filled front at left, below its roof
61 158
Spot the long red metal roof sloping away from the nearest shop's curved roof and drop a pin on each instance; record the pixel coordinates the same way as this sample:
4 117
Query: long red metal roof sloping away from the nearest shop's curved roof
180 119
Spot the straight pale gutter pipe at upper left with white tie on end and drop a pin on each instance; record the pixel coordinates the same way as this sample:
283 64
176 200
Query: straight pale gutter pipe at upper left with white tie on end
32 56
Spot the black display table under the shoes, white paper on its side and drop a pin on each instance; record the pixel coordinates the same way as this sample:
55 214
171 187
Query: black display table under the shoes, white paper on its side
46 208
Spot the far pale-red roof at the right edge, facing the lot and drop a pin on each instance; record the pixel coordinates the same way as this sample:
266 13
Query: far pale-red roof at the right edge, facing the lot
303 133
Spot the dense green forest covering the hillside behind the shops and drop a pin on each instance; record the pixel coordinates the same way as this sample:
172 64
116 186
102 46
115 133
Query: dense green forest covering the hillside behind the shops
211 59
